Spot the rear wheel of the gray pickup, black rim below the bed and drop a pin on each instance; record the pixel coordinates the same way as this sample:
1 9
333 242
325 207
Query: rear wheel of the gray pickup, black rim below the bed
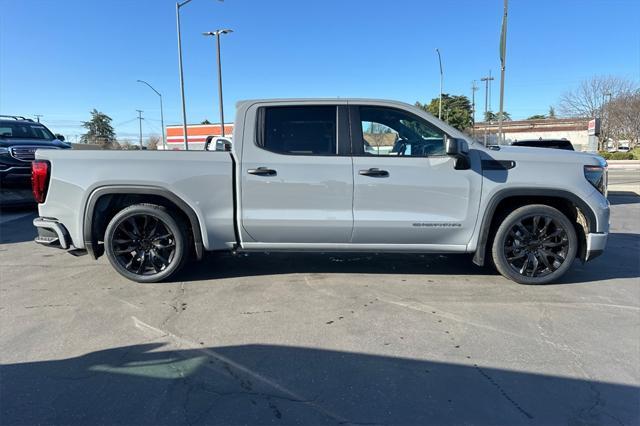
146 243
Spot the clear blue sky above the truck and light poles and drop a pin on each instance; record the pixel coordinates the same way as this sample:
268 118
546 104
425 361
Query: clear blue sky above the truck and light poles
63 58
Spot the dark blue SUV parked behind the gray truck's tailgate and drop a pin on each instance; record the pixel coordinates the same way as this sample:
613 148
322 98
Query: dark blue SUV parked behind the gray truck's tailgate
19 139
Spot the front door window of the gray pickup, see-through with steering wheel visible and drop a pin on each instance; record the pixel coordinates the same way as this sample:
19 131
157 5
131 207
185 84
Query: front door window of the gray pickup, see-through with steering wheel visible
391 132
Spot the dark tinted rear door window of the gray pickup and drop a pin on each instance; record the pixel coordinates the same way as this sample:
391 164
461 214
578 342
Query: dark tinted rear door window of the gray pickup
298 130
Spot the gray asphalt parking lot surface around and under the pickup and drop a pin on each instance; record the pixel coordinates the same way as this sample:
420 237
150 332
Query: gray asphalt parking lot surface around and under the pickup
318 339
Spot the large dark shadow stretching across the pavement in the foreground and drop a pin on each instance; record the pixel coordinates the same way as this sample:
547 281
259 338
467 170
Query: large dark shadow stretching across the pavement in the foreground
270 384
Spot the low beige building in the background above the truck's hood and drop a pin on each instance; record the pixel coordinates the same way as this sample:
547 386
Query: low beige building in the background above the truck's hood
572 129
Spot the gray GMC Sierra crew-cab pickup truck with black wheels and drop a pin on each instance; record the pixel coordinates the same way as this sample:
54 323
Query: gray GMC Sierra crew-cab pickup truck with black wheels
347 175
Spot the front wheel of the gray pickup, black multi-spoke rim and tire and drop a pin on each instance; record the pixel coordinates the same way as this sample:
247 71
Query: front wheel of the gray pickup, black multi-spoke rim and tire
534 244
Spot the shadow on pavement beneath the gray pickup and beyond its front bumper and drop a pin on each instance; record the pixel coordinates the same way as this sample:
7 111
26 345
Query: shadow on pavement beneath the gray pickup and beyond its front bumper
620 260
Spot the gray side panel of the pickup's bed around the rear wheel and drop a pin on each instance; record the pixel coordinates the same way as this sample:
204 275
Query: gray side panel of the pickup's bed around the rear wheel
202 179
